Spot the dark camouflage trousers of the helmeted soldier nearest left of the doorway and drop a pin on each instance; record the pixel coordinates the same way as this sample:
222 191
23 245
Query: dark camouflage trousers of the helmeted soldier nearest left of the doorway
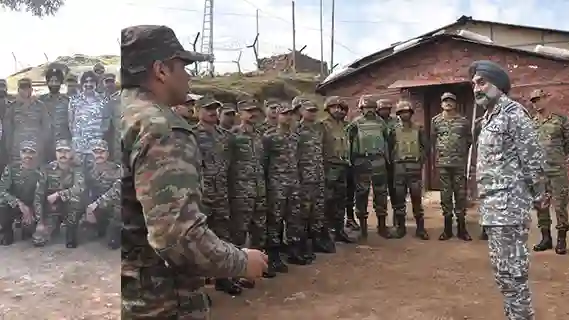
408 180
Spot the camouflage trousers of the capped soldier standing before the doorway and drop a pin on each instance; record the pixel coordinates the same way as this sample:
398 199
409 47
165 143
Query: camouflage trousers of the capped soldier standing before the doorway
453 185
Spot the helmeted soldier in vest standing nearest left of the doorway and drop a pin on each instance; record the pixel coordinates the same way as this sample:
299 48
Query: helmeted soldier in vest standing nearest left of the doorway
410 150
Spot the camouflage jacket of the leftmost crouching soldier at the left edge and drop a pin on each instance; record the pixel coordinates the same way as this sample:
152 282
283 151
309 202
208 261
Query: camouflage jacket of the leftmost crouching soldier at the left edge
20 184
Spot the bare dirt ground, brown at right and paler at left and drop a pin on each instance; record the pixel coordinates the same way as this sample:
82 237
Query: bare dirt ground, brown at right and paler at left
382 279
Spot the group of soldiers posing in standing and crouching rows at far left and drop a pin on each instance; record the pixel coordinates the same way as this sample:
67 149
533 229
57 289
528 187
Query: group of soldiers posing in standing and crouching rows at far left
57 153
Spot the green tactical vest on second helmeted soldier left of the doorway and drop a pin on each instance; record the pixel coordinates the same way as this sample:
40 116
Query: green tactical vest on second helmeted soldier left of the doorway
371 140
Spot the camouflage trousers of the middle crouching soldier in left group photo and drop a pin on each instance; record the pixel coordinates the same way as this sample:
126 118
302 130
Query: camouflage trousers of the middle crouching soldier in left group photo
70 213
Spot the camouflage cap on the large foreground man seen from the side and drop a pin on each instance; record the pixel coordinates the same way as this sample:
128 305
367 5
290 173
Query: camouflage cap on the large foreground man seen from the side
144 44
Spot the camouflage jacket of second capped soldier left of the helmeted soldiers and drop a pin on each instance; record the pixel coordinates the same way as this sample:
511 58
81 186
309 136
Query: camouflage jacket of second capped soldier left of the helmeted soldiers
281 155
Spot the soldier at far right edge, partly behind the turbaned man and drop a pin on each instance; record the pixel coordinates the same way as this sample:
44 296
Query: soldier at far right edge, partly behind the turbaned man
553 135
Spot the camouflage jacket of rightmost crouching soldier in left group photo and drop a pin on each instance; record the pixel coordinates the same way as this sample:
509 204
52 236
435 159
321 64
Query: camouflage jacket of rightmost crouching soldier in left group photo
104 184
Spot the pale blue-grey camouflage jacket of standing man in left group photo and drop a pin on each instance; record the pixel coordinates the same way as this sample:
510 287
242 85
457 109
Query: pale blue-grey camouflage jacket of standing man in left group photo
88 121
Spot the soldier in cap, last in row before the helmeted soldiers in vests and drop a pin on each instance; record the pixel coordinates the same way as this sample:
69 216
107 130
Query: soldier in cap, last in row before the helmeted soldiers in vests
312 182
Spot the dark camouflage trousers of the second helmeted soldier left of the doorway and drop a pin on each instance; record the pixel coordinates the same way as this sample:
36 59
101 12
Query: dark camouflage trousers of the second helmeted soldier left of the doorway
368 178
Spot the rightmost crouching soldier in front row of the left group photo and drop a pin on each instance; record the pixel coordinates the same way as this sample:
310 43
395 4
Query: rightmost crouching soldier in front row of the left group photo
103 186
